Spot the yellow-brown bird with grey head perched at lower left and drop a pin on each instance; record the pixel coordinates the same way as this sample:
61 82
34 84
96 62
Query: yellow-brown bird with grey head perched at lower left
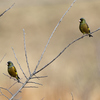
12 70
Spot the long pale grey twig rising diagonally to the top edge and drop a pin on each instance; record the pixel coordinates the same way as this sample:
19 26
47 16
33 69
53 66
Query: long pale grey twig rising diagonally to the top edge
52 35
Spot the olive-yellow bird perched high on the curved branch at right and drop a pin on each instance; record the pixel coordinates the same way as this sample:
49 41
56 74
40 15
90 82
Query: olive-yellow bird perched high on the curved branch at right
84 28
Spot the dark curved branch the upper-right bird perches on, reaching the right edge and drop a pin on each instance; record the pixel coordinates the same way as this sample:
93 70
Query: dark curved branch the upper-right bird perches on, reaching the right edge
64 50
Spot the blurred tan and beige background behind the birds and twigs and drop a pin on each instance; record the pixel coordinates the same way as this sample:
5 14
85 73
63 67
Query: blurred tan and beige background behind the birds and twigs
77 70
